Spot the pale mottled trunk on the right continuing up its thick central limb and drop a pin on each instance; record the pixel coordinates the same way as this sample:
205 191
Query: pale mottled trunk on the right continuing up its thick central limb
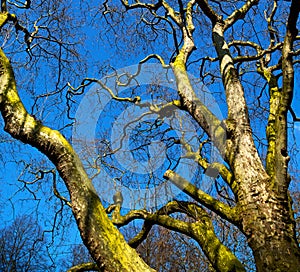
265 213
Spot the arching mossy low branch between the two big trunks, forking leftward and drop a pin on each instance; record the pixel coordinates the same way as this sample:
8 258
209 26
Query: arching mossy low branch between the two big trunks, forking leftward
201 230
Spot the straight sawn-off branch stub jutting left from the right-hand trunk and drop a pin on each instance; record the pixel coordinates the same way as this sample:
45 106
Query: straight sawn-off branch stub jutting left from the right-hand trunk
203 198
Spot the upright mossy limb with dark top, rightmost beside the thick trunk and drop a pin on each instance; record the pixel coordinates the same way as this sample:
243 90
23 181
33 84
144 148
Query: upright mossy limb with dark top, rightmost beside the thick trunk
280 103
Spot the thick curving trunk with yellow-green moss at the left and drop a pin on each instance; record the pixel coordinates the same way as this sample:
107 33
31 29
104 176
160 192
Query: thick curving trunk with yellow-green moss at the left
105 243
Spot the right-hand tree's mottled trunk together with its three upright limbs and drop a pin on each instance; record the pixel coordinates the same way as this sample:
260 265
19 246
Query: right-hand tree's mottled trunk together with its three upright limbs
264 209
